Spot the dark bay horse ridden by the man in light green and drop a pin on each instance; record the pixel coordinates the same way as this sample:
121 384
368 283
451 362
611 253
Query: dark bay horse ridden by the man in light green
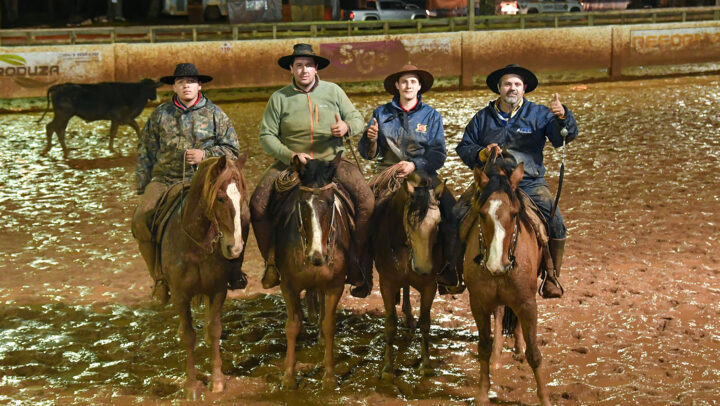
311 246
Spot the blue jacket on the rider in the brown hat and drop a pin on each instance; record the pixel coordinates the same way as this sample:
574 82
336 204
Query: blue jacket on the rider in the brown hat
416 136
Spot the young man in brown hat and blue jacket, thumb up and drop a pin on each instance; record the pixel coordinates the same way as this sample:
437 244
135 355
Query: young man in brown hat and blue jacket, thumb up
408 135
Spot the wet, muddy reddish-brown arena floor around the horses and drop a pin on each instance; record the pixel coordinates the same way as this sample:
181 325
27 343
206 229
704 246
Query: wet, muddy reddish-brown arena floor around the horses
638 324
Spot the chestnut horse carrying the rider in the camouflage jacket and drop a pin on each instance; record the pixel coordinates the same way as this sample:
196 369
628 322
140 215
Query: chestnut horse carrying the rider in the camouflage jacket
204 239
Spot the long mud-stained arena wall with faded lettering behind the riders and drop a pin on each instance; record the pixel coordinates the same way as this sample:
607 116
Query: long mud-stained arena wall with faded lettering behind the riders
28 71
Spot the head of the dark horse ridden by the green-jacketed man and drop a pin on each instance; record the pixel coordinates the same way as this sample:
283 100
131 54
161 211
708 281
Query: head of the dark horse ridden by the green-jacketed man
316 207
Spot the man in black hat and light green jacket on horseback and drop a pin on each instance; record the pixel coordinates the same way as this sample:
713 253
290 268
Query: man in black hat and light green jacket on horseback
307 120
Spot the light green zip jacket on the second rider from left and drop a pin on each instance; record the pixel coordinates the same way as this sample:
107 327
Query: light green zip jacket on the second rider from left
296 121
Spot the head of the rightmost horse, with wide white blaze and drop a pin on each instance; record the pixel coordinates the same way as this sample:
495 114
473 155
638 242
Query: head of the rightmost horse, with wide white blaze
498 208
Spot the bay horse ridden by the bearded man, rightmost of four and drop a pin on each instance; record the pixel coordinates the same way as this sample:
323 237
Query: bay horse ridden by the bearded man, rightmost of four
501 265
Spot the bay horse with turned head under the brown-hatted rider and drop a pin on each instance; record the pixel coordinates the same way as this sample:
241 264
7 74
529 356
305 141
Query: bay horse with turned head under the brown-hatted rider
409 254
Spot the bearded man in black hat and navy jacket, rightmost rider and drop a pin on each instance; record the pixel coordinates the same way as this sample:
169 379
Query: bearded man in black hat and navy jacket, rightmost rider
520 127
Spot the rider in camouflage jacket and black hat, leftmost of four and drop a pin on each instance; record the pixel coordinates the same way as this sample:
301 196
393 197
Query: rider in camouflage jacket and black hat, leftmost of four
178 135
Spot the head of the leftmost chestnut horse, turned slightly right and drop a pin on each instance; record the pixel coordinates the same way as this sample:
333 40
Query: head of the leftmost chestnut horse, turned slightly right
224 203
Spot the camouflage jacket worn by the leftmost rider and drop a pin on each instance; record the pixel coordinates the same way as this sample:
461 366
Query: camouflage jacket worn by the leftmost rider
171 130
